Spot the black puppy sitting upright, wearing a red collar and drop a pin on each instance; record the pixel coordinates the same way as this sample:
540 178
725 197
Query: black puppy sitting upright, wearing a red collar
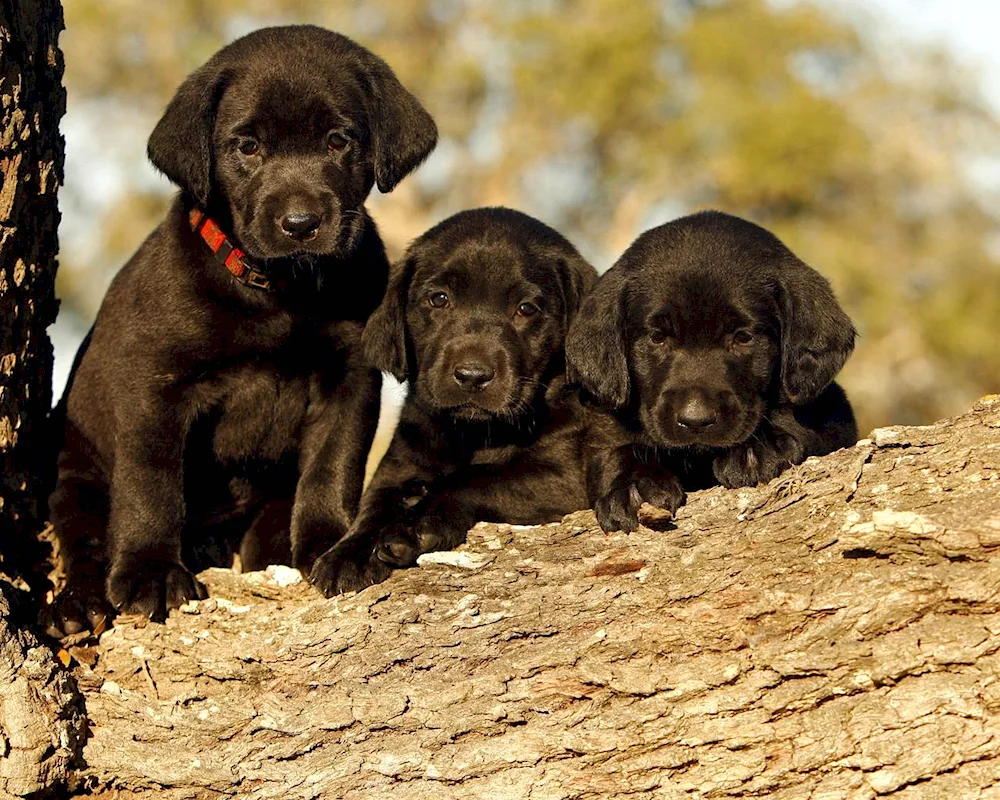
223 386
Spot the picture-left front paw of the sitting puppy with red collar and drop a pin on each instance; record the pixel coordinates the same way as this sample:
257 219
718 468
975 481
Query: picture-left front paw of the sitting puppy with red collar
152 587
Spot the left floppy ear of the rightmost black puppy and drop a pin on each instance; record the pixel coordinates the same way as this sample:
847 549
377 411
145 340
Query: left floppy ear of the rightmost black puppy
595 346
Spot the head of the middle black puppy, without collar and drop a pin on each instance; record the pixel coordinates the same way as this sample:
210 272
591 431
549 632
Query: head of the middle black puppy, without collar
476 312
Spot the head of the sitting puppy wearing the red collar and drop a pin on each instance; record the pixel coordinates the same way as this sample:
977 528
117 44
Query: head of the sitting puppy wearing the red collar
282 135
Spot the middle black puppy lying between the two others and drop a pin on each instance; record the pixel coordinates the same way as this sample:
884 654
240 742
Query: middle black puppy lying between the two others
475 317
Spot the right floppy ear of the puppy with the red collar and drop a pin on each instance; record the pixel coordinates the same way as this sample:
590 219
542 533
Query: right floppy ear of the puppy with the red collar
403 133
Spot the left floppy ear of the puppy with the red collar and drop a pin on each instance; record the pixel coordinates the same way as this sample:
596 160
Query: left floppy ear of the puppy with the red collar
181 143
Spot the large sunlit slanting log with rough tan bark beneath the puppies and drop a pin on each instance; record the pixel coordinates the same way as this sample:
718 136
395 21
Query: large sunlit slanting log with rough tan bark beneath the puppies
833 634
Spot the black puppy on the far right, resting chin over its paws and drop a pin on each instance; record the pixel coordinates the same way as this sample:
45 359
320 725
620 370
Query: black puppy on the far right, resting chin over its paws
715 349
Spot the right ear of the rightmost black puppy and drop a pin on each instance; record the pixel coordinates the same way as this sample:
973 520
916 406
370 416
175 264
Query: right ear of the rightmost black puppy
816 335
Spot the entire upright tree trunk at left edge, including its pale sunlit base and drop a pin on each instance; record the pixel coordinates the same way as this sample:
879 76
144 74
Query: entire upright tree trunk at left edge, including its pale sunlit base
40 717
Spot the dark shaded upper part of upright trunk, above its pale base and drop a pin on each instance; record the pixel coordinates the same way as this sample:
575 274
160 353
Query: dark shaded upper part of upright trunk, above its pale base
31 163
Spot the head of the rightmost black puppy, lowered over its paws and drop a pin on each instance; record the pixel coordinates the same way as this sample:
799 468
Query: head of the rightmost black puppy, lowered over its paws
702 325
